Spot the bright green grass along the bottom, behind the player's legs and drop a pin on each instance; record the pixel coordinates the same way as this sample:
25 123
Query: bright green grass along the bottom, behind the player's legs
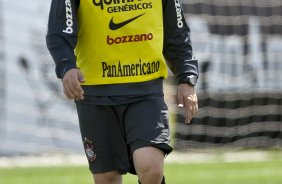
266 172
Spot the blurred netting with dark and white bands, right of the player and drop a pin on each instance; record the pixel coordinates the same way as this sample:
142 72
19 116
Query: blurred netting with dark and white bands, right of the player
239 46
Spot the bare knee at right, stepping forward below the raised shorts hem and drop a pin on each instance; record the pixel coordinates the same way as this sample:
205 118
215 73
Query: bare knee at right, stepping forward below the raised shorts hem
148 163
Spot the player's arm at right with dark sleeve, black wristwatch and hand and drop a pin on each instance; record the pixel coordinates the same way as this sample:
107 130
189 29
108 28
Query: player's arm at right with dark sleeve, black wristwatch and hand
179 55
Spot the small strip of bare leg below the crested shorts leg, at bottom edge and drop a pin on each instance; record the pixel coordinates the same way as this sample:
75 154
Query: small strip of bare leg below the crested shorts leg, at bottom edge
112 177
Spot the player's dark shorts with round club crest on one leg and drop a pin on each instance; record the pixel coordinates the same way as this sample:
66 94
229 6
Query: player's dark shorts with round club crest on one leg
110 134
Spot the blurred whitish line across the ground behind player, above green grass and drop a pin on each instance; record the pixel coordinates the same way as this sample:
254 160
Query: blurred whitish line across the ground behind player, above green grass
175 157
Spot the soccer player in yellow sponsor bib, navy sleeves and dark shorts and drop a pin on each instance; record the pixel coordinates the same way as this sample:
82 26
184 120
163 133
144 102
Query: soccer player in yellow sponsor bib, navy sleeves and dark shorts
112 57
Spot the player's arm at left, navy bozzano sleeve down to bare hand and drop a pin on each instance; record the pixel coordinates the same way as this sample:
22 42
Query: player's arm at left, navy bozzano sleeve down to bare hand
61 40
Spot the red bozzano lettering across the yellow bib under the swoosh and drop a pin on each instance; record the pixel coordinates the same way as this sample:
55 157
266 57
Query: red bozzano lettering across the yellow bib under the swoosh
129 38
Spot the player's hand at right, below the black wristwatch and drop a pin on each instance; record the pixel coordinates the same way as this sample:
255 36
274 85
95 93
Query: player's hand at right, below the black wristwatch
187 99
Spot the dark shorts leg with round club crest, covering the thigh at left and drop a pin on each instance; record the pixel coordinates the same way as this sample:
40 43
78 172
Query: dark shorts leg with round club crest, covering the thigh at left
103 141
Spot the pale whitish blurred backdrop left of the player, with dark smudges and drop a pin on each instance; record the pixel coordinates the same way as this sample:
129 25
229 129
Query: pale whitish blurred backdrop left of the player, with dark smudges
35 117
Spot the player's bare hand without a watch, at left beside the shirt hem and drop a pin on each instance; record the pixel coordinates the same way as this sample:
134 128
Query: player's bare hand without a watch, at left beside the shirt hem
71 83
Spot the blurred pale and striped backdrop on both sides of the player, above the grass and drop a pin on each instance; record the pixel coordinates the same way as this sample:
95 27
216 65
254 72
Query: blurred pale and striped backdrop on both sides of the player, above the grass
239 47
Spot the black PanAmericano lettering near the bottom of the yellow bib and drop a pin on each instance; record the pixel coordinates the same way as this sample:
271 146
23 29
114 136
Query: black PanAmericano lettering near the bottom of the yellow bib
128 70
